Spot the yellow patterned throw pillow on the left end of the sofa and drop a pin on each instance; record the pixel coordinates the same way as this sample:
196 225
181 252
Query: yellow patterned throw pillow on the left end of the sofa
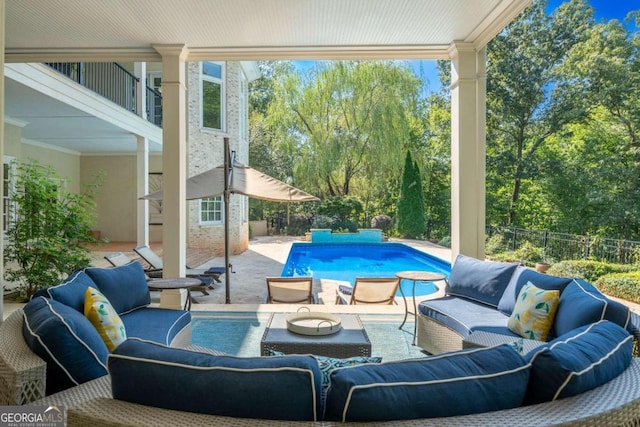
104 318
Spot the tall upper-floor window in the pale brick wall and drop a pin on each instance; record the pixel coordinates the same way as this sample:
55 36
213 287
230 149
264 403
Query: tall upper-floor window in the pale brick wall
213 95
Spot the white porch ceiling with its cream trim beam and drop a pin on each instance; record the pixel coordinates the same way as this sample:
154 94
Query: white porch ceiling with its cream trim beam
250 29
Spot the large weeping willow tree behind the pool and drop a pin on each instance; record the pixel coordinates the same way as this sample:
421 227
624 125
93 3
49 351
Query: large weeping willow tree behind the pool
347 124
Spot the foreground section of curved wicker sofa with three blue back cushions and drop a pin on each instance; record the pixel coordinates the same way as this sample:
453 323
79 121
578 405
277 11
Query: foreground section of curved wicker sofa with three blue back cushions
587 377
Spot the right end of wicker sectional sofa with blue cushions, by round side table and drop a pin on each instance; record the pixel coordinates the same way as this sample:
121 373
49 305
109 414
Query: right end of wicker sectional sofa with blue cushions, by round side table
481 296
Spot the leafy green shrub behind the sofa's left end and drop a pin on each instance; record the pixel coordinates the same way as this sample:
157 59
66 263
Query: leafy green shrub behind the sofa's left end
48 229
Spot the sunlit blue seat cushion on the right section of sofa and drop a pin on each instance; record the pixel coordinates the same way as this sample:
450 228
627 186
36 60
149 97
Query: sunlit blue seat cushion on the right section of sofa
464 316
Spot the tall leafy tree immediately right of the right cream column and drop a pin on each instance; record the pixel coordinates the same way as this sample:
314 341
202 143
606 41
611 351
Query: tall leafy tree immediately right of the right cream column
525 102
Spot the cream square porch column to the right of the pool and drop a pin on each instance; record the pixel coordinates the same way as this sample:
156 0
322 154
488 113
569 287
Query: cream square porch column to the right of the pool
468 119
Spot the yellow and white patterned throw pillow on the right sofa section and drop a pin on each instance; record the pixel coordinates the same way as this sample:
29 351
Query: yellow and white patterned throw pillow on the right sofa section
533 313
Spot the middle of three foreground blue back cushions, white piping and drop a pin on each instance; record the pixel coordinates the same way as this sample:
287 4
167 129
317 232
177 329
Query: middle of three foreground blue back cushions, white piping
449 384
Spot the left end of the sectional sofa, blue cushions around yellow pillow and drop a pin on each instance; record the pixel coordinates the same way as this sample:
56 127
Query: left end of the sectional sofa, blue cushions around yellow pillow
56 329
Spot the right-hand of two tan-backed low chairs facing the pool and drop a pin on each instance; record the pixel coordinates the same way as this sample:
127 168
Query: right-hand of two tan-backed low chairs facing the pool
369 290
